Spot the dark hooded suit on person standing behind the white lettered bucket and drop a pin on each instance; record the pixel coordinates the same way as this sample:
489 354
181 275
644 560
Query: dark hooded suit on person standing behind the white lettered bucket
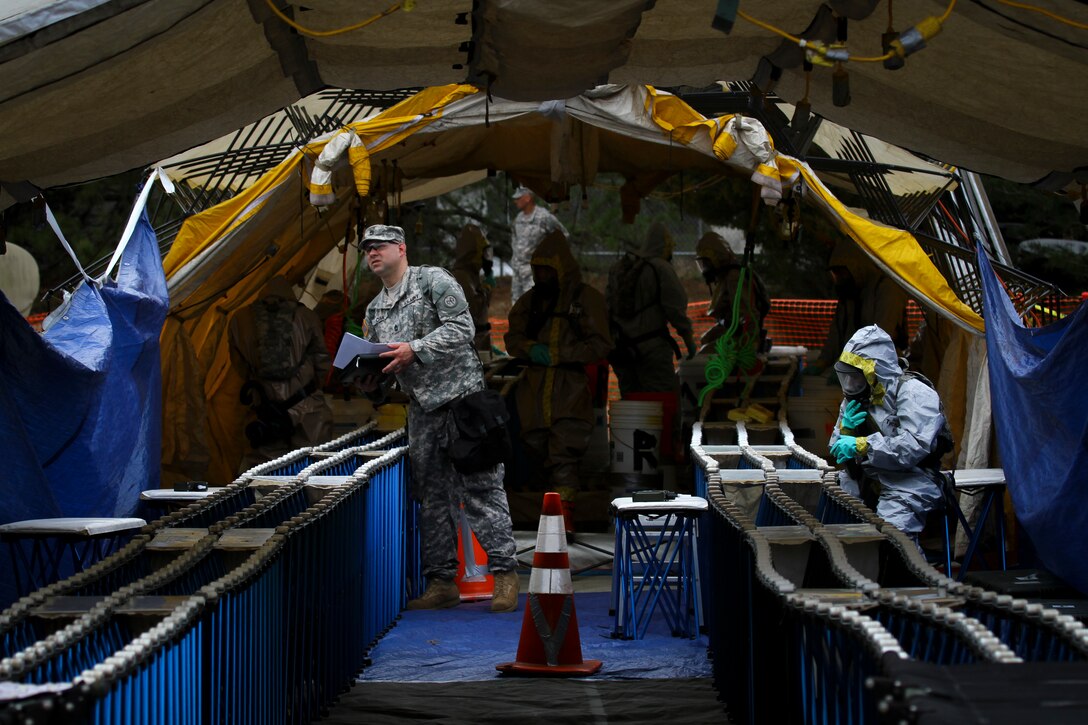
645 298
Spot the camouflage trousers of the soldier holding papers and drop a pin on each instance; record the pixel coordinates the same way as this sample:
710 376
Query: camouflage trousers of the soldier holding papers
441 491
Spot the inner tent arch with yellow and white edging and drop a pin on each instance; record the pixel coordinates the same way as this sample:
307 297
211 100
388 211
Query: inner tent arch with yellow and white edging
222 257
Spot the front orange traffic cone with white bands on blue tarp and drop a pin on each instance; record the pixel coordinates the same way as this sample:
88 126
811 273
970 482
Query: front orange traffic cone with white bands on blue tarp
550 644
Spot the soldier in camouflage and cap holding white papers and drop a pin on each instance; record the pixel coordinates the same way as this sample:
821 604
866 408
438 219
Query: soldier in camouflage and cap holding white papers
423 315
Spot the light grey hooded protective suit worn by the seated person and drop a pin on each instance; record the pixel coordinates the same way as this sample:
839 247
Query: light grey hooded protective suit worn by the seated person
896 444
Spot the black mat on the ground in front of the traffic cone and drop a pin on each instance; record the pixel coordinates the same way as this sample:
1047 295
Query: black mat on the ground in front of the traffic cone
537 701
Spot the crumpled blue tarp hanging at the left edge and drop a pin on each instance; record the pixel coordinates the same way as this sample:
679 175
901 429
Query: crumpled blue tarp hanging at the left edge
81 405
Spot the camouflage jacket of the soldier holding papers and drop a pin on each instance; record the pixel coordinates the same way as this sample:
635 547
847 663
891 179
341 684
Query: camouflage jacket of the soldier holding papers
430 313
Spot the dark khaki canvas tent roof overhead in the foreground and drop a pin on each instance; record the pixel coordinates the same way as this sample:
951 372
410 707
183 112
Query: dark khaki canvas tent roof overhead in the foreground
95 88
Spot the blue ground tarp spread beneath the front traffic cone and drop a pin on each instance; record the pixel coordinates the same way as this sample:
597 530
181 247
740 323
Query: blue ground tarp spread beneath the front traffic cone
465 644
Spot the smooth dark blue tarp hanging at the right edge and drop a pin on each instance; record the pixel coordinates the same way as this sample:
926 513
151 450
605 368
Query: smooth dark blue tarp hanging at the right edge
1040 389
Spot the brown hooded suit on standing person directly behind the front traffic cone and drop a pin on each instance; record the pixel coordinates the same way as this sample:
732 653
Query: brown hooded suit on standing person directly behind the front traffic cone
554 404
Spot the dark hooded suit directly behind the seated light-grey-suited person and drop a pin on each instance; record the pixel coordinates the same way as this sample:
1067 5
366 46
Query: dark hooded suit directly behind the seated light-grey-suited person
868 298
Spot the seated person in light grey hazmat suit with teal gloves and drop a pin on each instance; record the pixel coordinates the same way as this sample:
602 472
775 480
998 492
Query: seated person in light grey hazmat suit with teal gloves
891 433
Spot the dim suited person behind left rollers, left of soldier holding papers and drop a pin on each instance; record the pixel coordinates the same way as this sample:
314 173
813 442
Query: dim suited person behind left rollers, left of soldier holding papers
278 346
